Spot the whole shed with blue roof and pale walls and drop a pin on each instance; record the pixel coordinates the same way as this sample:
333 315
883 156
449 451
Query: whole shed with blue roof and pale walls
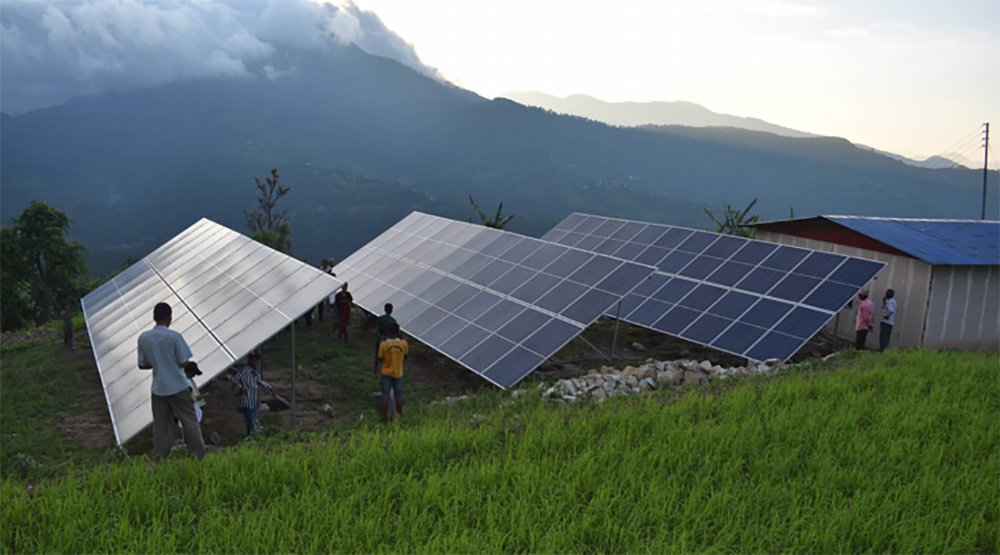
944 273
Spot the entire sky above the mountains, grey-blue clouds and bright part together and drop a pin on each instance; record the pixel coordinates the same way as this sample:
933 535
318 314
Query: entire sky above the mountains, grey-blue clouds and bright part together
916 77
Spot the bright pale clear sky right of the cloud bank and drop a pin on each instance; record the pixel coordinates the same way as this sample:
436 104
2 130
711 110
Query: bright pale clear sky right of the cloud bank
913 76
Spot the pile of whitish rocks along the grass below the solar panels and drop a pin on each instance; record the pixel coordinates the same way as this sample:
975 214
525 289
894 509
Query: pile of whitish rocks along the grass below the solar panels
606 382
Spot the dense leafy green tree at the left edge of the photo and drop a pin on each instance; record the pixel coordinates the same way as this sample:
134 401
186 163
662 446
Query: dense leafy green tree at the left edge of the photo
42 273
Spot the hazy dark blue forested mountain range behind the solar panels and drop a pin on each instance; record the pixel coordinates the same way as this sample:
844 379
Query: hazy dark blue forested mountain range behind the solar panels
363 140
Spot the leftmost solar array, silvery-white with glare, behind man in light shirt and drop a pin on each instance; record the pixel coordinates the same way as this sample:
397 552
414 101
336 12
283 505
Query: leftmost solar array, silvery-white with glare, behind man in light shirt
228 294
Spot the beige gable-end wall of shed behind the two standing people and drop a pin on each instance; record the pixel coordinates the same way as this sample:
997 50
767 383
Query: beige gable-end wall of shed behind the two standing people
908 277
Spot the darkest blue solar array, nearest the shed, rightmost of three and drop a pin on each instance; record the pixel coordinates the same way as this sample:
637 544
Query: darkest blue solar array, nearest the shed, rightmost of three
751 298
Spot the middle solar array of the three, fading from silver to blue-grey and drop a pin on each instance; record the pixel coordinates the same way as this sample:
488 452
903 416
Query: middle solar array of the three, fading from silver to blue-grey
496 302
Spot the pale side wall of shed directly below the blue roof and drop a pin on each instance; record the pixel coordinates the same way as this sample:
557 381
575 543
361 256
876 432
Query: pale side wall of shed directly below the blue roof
964 308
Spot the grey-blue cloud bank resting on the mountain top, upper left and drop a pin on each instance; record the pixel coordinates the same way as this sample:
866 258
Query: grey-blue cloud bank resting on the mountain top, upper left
53 51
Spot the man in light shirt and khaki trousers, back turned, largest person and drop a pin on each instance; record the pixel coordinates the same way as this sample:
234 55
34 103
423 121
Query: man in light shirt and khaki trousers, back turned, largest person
165 352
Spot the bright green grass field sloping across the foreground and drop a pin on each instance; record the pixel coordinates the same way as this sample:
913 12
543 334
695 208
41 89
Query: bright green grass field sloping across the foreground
891 453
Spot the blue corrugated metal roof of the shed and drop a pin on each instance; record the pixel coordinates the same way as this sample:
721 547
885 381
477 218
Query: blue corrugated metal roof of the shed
948 242
